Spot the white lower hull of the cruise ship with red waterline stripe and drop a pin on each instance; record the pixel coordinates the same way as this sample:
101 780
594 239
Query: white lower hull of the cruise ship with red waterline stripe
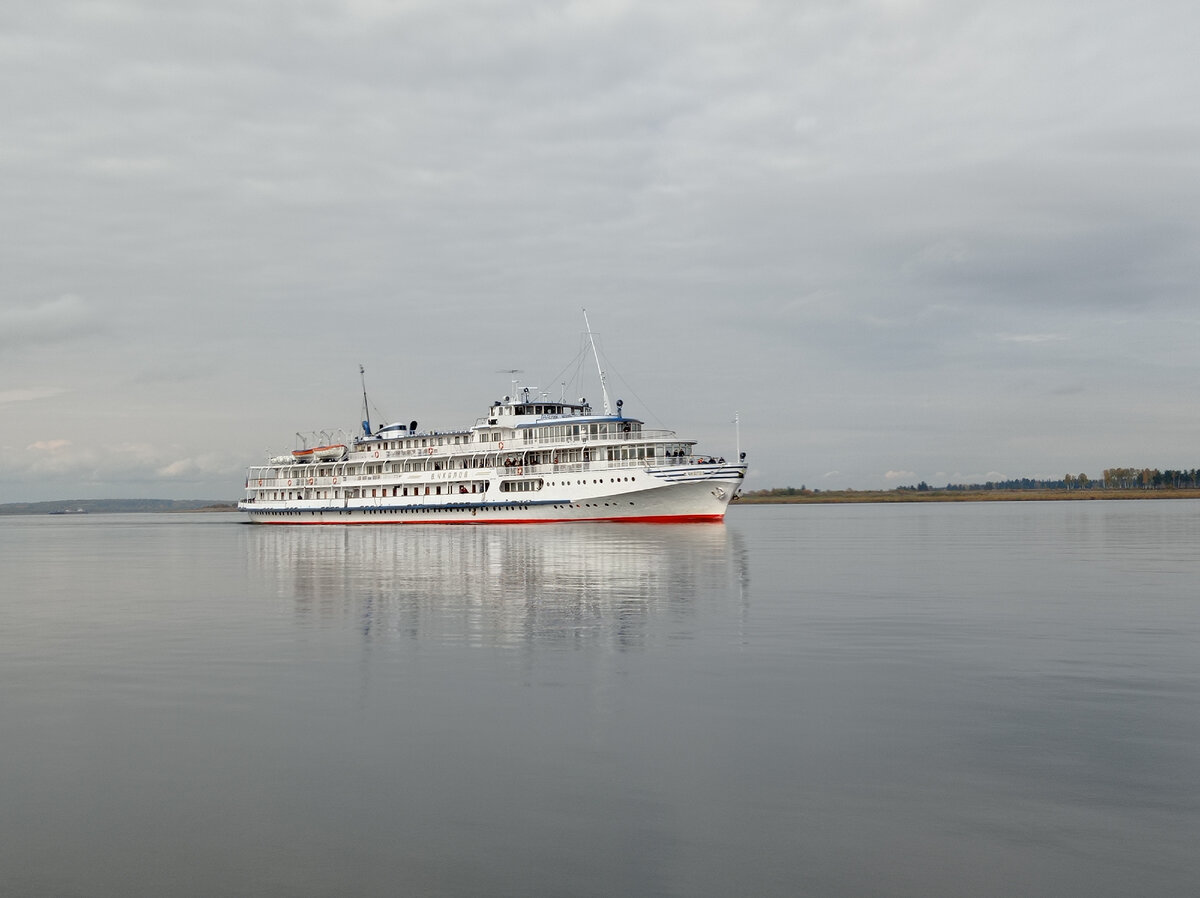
671 496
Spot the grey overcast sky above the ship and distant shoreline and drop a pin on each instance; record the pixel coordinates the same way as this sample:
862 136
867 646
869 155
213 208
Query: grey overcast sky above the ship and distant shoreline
904 241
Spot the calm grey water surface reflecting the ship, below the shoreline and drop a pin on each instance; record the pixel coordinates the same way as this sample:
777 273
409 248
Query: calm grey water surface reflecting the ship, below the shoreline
845 701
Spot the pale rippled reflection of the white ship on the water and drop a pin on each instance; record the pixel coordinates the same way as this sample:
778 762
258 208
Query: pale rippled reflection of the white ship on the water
507 586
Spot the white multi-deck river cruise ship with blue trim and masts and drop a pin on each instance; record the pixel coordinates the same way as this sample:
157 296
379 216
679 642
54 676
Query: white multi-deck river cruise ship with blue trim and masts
529 460
